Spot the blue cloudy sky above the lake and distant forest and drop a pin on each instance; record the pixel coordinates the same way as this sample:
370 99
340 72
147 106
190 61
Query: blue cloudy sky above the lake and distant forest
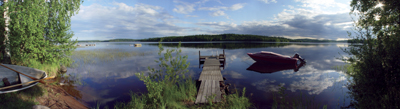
139 19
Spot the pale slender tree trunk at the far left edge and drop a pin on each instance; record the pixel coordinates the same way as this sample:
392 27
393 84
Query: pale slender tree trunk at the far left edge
6 48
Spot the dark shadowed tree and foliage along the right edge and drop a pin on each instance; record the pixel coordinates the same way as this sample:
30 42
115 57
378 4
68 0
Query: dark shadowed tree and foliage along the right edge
375 63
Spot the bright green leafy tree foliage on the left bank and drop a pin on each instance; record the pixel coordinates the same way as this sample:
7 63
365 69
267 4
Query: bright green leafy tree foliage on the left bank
40 30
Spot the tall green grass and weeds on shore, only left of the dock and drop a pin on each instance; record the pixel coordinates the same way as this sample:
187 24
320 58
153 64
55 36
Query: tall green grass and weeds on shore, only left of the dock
172 96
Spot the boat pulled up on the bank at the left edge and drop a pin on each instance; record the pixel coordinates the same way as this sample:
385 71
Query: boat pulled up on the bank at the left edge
9 77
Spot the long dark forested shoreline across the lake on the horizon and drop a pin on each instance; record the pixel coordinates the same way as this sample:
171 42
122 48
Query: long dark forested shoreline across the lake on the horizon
218 37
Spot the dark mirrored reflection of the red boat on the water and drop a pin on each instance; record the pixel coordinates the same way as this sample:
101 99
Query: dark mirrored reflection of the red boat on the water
271 67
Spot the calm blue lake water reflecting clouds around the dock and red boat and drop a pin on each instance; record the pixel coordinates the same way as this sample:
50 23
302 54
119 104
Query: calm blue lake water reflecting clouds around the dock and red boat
112 80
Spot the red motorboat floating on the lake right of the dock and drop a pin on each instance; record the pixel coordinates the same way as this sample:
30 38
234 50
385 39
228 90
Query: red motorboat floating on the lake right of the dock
265 56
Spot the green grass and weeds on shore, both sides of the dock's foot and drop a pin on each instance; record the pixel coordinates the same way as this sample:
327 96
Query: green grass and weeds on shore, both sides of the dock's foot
182 96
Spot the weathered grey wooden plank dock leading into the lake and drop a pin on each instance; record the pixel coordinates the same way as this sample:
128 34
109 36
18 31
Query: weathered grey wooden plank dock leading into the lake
210 78
